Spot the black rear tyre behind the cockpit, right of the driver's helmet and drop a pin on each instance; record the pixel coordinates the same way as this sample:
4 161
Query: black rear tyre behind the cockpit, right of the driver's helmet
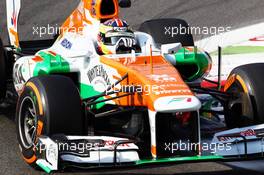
170 30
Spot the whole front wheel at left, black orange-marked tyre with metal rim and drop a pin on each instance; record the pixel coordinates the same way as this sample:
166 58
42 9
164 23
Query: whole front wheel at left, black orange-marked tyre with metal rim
48 105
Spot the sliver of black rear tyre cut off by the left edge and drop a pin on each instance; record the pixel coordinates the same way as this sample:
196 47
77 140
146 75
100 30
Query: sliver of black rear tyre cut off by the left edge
2 71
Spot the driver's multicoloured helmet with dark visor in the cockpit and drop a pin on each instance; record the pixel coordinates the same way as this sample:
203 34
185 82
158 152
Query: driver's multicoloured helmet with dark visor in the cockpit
115 37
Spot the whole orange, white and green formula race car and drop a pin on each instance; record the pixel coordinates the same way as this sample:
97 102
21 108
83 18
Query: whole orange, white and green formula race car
146 102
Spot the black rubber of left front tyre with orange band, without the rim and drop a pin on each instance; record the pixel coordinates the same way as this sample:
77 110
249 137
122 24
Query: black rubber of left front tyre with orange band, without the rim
58 109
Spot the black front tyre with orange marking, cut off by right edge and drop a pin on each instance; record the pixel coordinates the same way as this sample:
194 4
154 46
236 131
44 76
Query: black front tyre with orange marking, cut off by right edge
249 110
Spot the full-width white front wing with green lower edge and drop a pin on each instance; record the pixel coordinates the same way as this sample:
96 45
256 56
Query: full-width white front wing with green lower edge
59 152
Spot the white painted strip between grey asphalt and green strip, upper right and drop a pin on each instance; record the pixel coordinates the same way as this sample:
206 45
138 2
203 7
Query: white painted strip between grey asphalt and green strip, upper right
236 36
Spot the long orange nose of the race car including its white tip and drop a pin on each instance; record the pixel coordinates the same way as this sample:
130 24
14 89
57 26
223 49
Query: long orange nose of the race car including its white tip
163 89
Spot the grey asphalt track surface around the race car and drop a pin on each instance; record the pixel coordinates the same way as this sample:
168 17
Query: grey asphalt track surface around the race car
234 13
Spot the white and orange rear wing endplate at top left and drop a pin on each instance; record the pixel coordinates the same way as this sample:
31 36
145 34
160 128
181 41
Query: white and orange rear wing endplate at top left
12 13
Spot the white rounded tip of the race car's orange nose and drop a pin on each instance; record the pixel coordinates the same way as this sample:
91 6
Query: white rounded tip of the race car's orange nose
177 104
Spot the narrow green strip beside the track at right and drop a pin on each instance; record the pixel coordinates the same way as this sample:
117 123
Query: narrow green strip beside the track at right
231 50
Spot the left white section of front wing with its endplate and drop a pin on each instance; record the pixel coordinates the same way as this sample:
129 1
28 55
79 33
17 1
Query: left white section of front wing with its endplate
86 150
